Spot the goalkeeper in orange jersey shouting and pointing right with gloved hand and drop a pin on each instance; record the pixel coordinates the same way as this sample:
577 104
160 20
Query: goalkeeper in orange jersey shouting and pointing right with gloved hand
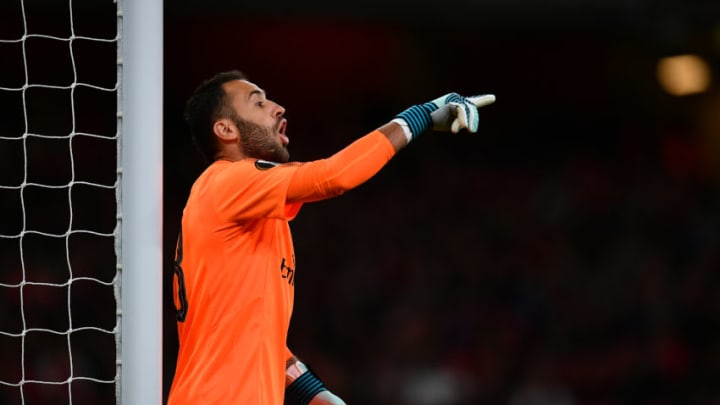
235 267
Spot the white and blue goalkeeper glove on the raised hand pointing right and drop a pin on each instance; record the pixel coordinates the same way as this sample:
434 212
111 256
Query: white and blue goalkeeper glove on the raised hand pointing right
451 112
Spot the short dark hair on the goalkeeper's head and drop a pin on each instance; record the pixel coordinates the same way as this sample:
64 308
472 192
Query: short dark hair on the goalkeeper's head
206 105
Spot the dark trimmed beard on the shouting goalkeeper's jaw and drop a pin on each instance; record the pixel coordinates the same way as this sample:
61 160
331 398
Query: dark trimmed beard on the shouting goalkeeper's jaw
260 142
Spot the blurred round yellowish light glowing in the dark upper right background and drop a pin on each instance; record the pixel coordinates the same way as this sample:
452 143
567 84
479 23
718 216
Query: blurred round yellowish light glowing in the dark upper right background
683 75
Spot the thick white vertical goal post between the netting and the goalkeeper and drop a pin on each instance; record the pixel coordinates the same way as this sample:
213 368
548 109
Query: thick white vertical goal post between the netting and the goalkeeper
140 168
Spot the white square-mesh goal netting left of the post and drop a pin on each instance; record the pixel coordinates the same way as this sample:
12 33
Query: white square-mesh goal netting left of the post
58 184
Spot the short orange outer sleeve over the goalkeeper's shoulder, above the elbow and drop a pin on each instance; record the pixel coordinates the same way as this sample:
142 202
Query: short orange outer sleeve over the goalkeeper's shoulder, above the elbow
251 189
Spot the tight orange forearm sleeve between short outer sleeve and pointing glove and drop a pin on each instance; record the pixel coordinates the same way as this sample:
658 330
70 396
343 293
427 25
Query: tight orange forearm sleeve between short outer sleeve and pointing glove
347 169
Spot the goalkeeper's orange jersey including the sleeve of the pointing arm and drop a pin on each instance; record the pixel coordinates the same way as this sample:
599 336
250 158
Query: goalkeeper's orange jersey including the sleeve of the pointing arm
235 270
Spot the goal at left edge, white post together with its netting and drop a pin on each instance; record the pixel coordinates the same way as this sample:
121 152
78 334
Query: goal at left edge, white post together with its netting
81 168
